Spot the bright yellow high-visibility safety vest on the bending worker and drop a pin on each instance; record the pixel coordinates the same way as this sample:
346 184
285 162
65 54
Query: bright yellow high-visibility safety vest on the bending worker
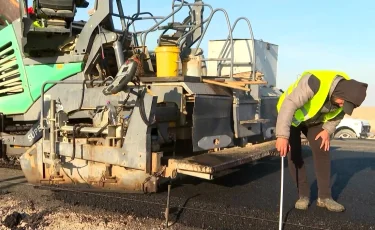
312 107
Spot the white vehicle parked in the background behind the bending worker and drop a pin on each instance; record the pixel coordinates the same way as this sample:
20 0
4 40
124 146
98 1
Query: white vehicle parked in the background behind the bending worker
353 128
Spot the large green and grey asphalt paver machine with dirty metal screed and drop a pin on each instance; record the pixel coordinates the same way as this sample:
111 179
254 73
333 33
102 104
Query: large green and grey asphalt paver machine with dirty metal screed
85 104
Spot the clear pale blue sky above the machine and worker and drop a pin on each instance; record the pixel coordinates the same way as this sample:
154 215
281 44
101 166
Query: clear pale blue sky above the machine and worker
318 34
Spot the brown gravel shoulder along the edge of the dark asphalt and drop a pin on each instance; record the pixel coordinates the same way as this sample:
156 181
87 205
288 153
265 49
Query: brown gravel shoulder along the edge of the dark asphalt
24 207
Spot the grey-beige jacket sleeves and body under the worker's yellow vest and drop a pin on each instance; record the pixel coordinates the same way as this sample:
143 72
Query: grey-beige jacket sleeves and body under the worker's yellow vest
307 87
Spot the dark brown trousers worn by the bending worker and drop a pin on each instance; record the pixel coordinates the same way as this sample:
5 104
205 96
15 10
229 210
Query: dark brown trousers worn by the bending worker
321 158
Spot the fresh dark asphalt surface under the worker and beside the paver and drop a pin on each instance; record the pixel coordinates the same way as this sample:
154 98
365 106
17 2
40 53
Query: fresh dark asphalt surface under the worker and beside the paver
249 198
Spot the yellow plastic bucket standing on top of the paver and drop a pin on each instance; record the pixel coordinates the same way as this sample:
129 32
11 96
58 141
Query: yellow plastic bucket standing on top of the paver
167 61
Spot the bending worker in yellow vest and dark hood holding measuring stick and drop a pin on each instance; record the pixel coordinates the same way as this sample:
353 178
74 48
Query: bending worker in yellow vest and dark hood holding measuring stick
314 105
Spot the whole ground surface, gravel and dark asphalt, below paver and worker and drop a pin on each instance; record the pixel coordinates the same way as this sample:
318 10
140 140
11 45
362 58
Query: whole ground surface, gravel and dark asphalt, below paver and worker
246 199
